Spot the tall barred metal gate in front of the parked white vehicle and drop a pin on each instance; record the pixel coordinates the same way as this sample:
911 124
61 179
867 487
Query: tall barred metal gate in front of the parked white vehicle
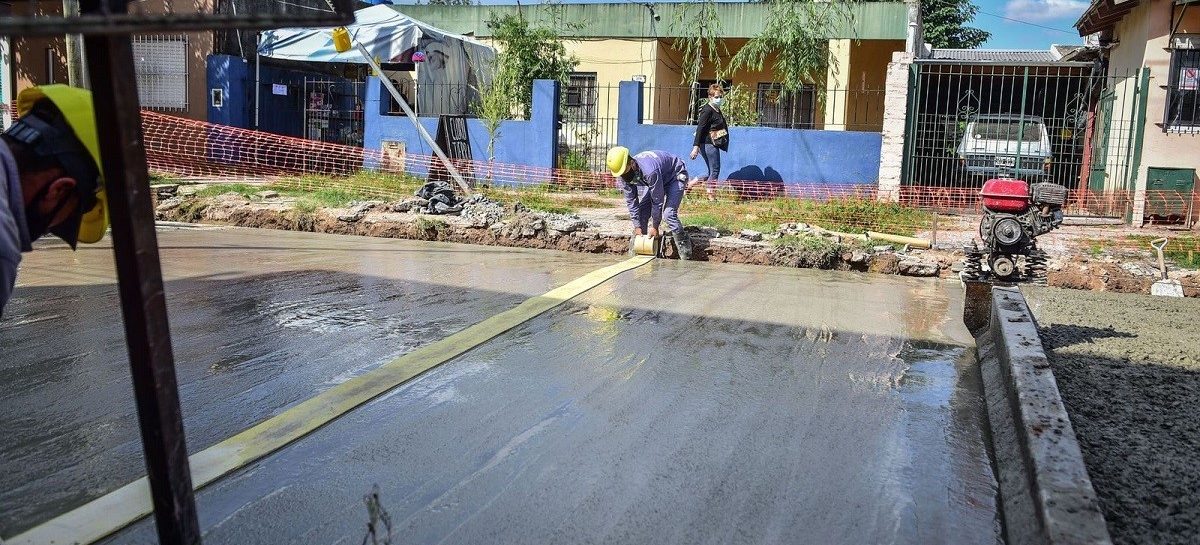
1064 123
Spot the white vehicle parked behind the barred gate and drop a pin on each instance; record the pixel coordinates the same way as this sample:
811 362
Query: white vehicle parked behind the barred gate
993 143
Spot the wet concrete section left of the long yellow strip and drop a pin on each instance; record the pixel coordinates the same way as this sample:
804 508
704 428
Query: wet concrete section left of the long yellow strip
261 321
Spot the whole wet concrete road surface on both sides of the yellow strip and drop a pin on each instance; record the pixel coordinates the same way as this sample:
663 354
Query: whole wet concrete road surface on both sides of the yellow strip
680 403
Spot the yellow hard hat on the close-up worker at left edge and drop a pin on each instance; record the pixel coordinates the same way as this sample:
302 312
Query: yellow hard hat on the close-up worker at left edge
92 219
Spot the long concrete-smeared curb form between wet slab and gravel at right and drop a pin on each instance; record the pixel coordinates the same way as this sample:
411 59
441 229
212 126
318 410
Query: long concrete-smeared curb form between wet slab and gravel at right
1046 493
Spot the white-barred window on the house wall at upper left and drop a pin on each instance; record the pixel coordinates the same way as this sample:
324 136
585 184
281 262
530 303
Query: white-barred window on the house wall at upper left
161 67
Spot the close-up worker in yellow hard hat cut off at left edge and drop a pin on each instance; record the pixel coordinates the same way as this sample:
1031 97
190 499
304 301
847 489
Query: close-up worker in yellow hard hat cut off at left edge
50 177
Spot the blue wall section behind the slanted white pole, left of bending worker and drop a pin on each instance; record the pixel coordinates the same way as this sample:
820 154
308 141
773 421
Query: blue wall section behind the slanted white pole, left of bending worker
530 143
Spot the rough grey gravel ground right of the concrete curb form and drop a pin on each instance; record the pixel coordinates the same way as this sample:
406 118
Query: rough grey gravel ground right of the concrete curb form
1129 368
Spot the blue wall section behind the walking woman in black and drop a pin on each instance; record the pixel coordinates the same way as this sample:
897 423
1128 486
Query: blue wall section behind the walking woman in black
760 154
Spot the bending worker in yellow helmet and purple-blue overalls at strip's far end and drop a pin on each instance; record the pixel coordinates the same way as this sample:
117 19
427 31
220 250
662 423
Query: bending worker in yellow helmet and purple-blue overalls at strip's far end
655 187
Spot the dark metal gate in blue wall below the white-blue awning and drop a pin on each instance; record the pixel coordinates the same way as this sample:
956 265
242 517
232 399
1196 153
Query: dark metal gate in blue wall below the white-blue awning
333 111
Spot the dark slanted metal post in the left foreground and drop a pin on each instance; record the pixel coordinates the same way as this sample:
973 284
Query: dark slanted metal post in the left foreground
140 282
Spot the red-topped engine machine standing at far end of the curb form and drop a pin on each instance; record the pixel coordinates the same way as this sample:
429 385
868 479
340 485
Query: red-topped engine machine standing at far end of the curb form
1013 218
